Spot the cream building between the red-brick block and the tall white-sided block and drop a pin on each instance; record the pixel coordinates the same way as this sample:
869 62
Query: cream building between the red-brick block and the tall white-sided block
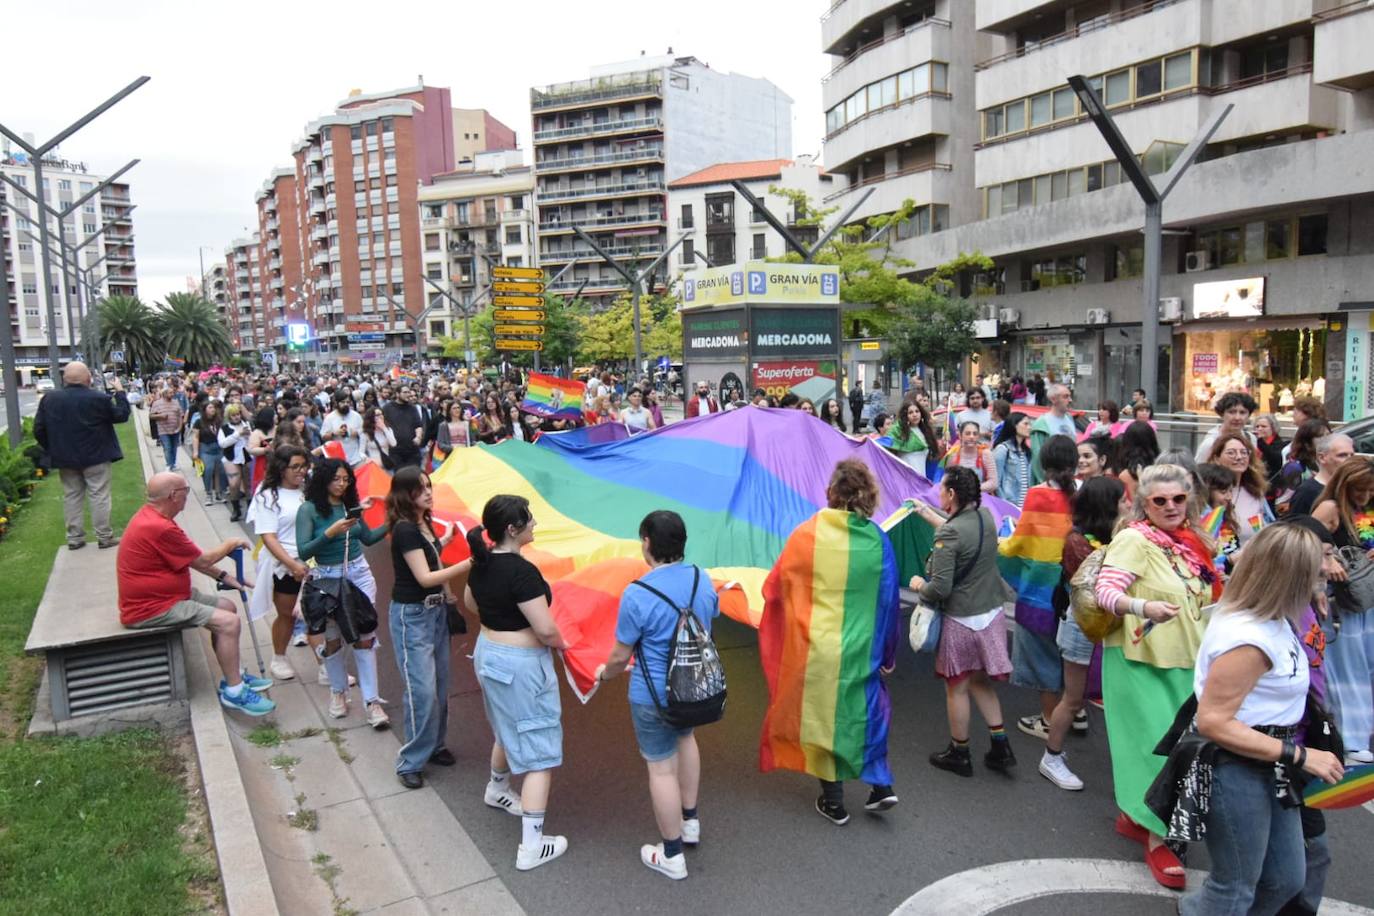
473 218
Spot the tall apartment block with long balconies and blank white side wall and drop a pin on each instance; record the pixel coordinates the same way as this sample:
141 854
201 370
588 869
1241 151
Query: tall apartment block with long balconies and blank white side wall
607 148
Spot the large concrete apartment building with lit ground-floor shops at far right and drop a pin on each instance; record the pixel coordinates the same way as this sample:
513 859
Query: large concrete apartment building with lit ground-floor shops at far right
1269 251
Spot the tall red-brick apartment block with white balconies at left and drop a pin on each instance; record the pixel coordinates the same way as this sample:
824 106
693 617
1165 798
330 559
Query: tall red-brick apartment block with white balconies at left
339 241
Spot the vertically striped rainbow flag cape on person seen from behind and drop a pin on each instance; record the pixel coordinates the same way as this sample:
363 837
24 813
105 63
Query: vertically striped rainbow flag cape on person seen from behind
832 619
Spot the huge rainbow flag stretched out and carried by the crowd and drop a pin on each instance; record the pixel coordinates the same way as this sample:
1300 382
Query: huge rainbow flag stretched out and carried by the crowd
743 481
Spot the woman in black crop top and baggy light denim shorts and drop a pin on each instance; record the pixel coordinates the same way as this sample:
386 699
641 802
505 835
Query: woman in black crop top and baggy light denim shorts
516 669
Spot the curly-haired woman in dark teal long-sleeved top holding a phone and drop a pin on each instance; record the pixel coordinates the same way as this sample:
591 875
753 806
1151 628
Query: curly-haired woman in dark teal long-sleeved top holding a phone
325 534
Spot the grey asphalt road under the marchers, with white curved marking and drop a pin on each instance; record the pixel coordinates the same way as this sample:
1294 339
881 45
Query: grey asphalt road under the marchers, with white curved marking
765 849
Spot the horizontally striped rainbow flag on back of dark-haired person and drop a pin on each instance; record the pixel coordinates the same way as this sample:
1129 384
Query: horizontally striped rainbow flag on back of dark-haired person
1033 560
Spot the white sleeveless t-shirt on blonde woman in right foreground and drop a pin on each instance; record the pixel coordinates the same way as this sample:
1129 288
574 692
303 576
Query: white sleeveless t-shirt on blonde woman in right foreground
1280 697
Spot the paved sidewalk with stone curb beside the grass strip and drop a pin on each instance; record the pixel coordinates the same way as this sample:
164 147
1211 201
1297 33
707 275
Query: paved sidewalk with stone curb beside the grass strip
336 829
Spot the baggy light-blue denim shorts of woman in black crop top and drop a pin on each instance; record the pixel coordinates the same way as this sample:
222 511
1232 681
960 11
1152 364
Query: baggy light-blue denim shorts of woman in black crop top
520 691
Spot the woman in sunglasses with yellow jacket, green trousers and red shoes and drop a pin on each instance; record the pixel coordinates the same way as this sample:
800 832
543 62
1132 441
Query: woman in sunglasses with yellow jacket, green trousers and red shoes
1158 576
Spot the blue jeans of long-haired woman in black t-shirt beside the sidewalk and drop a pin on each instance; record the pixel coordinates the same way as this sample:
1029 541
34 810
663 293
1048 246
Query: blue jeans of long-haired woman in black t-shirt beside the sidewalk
420 639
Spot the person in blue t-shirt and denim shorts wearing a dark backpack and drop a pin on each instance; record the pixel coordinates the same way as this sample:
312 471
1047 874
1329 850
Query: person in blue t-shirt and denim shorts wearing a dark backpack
651 623
